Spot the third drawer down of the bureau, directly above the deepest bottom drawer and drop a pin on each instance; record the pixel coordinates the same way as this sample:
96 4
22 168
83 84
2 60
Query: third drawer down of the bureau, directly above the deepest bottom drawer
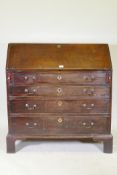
59 106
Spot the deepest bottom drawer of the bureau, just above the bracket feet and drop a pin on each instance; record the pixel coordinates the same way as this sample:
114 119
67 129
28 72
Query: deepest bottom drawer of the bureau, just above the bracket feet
61 125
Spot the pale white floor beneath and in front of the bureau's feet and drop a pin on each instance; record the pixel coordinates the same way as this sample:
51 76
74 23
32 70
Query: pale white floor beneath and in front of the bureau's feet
57 157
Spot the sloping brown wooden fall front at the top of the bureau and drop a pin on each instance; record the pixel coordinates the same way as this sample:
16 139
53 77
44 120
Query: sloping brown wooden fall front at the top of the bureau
50 56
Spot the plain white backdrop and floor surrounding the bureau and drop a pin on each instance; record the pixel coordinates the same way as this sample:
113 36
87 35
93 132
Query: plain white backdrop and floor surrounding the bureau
59 21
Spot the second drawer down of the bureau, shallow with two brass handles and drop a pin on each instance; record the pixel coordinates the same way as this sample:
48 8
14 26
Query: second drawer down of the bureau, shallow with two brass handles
60 91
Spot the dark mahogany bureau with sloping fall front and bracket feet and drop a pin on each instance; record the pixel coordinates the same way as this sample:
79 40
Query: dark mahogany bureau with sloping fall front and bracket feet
59 91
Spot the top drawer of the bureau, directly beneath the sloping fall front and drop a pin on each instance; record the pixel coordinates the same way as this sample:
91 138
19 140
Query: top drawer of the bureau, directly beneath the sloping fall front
71 77
